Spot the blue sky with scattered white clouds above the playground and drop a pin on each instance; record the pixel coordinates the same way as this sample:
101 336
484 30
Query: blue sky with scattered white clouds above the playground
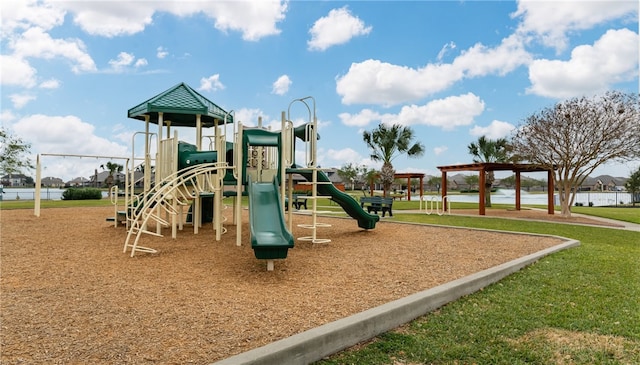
451 70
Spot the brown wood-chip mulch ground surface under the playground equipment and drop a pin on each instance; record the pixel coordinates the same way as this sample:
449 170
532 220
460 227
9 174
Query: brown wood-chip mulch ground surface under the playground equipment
70 295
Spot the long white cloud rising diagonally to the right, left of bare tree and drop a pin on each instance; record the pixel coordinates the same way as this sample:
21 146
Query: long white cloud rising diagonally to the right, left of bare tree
376 82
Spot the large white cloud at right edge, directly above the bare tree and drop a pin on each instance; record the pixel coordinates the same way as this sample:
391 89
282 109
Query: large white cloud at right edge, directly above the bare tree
612 58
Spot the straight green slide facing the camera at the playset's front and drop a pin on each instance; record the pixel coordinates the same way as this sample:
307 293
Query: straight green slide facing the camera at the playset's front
270 238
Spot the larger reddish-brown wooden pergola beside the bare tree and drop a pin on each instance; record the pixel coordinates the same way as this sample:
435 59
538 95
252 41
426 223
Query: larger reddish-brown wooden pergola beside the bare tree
483 167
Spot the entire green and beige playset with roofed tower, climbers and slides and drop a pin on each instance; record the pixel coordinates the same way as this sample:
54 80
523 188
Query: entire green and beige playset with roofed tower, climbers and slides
252 161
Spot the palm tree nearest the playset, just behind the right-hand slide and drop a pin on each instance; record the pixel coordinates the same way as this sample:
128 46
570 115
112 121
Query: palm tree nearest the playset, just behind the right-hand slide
387 143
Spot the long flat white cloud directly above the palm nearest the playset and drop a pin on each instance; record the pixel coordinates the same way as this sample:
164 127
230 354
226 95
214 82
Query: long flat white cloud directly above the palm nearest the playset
447 113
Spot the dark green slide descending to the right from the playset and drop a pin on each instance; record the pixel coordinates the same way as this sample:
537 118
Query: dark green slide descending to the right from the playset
350 205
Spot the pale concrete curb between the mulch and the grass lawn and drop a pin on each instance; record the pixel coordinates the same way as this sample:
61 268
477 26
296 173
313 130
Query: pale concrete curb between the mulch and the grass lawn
316 343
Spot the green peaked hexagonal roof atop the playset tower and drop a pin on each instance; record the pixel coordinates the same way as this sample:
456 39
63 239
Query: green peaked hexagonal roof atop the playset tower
180 105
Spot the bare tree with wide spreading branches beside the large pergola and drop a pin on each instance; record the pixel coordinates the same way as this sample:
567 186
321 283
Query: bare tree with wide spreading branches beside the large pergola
576 136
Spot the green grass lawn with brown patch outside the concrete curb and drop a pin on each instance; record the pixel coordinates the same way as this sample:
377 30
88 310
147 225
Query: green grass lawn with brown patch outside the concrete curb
579 306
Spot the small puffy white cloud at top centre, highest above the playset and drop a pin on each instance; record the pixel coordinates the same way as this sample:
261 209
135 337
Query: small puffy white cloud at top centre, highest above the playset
338 27
